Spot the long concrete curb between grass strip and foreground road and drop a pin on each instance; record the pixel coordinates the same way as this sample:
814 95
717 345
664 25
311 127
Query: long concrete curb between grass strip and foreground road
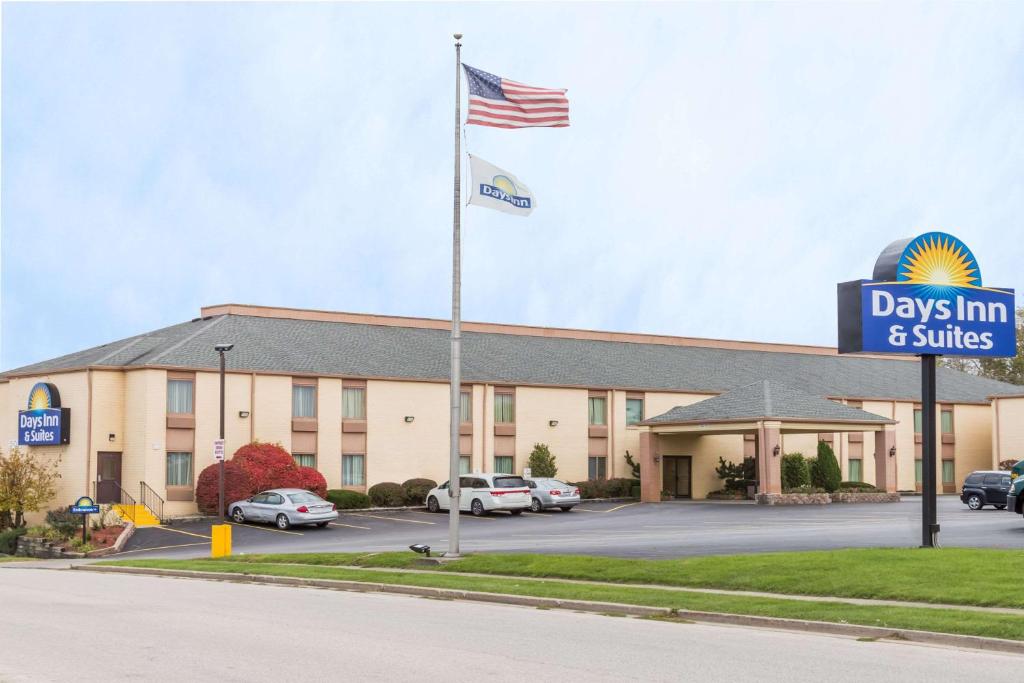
923 637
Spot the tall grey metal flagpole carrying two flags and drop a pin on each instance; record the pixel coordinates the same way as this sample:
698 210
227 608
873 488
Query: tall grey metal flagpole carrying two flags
454 490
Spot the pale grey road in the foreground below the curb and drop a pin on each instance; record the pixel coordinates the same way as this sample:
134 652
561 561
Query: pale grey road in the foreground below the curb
64 625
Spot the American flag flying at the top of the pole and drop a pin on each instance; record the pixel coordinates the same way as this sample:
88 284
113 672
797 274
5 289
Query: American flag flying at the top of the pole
500 103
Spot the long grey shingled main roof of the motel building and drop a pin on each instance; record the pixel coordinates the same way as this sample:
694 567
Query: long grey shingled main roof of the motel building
372 351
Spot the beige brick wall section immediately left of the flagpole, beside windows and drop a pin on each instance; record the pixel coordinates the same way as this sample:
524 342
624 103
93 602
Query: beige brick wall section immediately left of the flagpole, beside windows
397 450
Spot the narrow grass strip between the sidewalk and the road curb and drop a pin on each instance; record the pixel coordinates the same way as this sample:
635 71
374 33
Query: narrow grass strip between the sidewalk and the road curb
924 619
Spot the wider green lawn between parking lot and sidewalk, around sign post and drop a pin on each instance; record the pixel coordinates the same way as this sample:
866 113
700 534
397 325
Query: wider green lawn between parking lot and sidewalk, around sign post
951 576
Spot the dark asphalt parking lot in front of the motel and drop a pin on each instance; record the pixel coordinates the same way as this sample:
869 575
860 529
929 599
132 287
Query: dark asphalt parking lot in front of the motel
624 530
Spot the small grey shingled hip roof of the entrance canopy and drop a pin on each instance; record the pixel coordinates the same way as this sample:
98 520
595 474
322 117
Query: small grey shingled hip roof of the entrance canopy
765 400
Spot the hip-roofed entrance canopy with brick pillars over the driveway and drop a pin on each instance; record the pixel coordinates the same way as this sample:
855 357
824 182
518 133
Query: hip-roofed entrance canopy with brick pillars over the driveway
765 410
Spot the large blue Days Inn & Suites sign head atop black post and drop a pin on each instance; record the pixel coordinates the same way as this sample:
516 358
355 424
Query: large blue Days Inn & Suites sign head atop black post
926 297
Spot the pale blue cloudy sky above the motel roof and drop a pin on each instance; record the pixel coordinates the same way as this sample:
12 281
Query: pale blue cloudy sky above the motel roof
727 166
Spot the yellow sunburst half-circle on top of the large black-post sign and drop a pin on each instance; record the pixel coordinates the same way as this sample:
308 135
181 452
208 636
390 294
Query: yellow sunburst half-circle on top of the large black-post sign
937 260
